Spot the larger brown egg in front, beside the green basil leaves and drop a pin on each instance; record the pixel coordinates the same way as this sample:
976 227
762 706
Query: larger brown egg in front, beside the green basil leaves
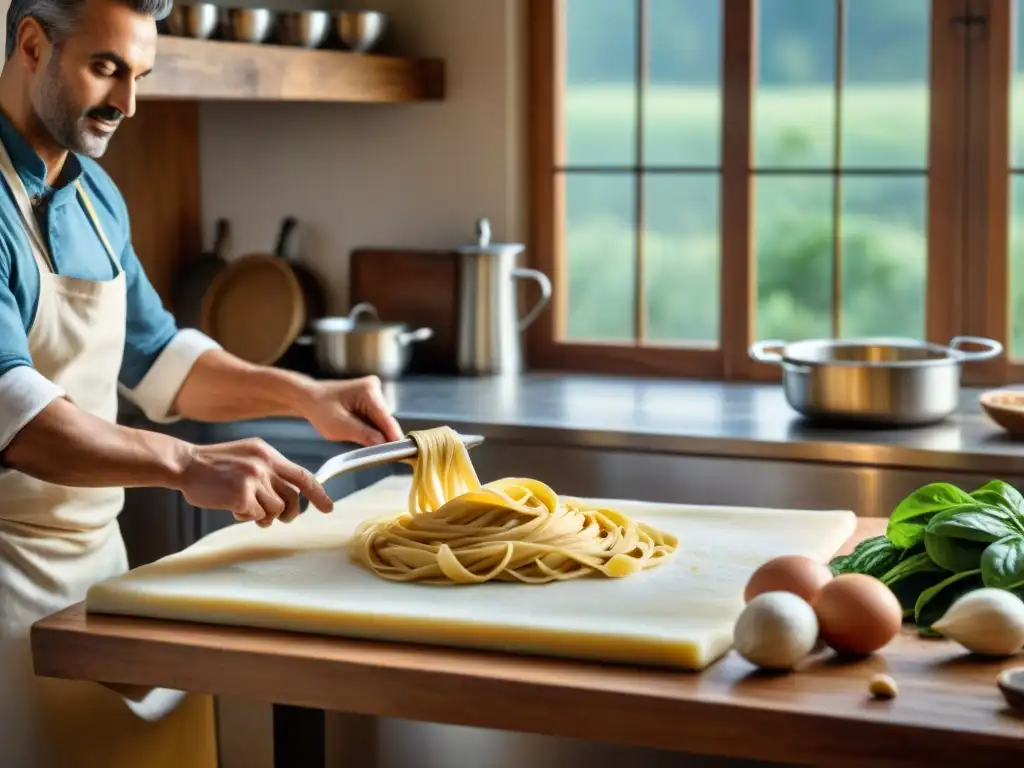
858 614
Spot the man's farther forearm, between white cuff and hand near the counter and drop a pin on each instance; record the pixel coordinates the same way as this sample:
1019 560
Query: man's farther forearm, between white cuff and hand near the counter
222 388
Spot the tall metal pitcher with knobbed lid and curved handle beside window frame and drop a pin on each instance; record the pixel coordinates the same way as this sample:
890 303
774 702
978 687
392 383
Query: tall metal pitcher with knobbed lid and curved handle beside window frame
490 329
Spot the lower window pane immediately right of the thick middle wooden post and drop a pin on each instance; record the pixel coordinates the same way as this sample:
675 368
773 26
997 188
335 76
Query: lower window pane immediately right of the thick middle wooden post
794 241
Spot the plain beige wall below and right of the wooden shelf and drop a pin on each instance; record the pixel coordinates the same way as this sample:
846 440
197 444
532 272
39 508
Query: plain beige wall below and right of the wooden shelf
382 175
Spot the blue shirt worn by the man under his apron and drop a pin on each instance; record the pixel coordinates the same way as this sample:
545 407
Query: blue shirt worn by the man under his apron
76 251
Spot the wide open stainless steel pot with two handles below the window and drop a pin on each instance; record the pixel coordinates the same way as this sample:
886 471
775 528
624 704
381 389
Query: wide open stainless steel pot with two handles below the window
883 381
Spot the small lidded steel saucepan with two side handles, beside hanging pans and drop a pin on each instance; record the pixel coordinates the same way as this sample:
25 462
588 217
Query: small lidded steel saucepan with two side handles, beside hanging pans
353 347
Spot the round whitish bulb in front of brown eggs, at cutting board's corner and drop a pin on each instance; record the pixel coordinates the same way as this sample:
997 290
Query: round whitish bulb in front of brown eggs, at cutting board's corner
776 630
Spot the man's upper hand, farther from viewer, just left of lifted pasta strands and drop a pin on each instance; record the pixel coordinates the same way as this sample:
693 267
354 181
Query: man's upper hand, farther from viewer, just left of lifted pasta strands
353 411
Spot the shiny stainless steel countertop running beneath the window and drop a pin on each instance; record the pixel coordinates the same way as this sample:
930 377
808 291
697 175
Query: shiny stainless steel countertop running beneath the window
749 421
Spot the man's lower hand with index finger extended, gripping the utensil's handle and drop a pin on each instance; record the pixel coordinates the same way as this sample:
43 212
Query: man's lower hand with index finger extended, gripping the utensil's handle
250 480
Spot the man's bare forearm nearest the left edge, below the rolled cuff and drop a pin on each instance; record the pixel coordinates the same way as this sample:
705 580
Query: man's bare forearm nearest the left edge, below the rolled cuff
69 447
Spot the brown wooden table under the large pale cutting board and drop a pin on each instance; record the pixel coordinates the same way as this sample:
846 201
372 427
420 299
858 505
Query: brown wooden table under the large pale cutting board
949 710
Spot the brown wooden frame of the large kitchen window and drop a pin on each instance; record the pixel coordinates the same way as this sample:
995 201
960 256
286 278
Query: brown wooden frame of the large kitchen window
967 197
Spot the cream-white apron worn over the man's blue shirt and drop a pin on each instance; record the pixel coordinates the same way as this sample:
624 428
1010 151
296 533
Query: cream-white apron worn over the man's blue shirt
56 542
